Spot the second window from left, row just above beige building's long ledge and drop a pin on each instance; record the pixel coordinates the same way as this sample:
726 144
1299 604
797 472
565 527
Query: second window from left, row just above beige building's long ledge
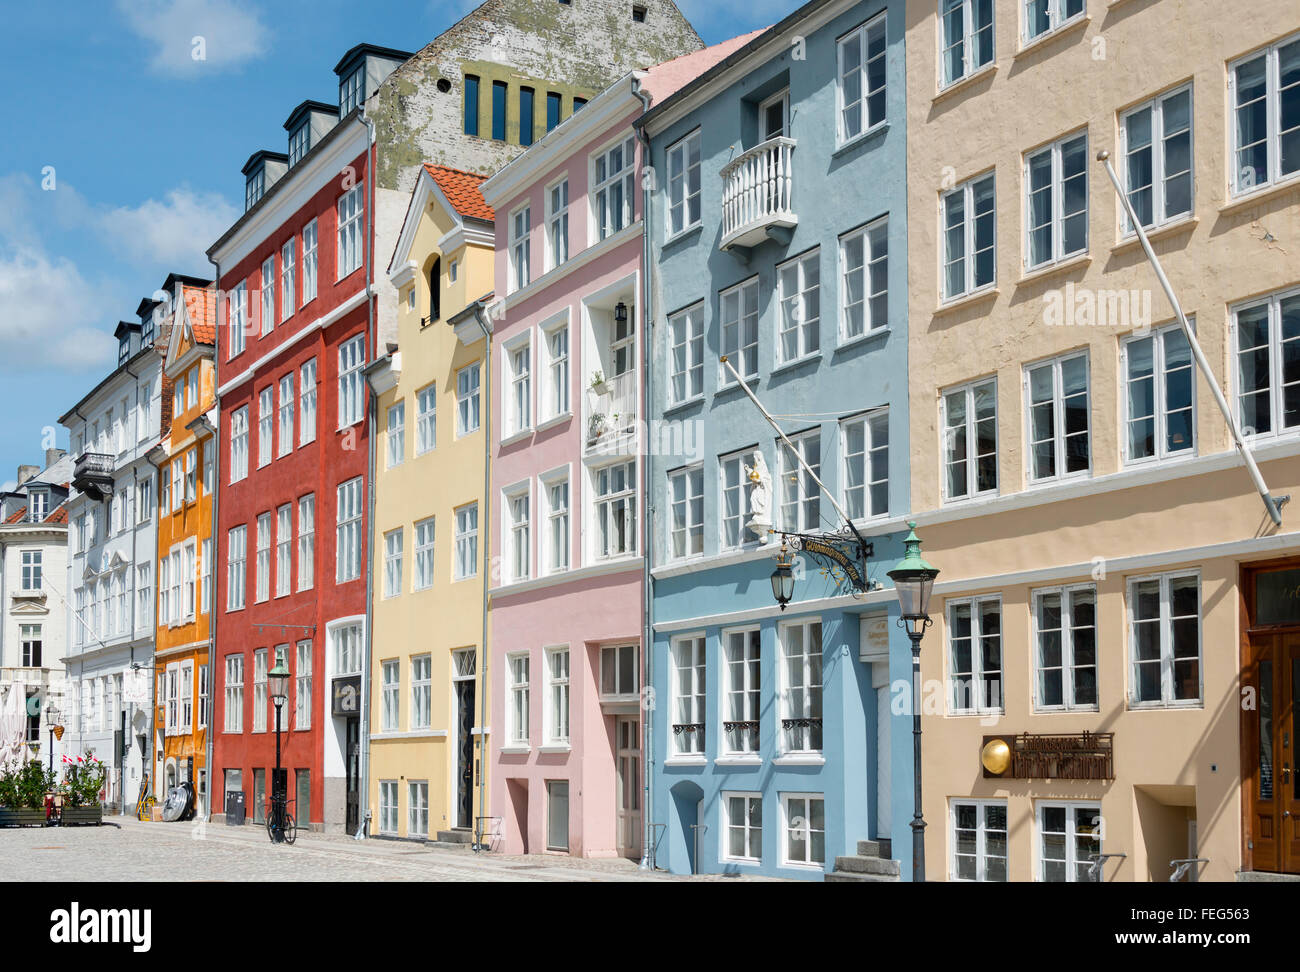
1058 418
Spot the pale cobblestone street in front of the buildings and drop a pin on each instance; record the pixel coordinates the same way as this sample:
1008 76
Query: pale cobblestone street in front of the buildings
128 850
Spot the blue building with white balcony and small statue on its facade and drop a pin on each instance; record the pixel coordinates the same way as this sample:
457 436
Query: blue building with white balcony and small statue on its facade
778 238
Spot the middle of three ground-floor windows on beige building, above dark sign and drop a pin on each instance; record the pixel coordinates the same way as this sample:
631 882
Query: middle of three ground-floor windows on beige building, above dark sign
1065 632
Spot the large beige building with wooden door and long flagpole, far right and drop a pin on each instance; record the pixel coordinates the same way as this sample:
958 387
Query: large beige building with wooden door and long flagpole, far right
1112 595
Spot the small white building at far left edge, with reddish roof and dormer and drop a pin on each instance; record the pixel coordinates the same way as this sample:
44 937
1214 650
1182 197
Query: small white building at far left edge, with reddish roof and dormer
33 610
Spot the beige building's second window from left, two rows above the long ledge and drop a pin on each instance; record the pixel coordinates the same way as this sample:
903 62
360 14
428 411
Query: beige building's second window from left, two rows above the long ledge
1056 205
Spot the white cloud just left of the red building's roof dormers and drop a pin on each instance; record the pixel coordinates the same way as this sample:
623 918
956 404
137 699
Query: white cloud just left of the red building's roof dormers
175 231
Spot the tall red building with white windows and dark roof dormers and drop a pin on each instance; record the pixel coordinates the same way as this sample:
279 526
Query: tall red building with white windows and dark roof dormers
296 277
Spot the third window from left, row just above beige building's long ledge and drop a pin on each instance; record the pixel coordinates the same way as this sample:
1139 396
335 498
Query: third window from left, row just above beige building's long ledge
1160 418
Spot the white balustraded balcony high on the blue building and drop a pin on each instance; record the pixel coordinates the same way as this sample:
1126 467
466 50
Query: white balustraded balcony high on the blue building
757 196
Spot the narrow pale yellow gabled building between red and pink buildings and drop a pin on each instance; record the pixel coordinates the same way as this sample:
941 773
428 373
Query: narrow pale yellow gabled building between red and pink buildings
428 717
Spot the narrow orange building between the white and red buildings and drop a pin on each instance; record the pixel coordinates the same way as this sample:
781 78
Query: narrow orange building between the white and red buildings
187 462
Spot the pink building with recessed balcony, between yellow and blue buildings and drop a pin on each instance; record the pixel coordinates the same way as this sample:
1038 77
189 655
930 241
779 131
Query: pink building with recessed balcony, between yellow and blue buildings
567 537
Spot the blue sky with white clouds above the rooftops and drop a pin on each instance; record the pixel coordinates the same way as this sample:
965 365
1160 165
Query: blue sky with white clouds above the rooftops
123 158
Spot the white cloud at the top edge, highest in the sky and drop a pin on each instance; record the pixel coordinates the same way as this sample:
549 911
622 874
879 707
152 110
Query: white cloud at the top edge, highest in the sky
192 36
